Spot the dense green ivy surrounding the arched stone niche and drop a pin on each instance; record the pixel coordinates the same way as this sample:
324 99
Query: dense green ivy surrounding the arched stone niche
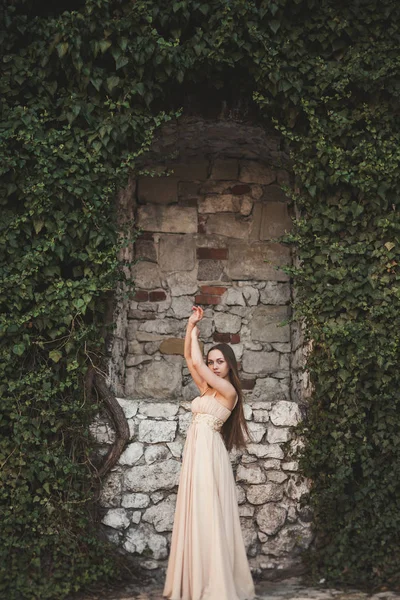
83 87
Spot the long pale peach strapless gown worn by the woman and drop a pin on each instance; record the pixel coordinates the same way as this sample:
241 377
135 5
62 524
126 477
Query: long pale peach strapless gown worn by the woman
207 558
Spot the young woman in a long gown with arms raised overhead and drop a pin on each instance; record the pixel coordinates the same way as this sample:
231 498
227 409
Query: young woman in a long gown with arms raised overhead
208 559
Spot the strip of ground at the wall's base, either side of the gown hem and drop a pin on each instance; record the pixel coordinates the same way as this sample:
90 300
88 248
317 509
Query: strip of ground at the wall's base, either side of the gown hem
287 589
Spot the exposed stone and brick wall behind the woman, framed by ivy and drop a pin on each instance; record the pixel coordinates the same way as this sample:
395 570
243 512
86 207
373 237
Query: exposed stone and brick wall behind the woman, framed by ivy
209 237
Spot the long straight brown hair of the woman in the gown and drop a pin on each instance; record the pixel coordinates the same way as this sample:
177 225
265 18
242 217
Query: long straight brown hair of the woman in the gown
234 430
